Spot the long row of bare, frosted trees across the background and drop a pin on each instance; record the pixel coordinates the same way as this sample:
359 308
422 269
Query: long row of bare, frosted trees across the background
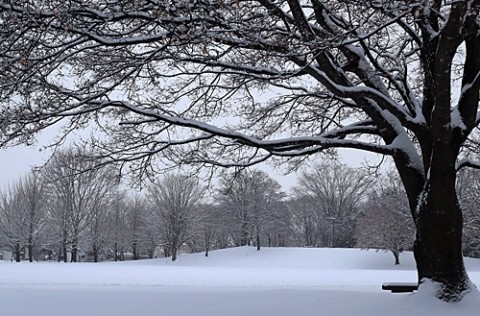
71 210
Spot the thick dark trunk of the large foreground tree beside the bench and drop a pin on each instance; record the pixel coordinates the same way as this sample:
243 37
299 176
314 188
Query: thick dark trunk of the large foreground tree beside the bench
438 217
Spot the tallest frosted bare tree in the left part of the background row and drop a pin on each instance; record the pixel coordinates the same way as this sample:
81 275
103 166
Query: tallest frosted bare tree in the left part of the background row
81 191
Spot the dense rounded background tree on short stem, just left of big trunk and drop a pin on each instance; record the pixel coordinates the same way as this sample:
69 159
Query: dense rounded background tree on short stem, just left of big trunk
386 222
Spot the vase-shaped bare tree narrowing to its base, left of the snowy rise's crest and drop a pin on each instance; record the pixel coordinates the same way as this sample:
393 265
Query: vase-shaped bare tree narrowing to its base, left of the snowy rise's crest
176 201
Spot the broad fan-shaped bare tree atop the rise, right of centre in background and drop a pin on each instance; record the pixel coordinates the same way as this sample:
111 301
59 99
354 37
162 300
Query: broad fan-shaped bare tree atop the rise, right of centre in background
334 191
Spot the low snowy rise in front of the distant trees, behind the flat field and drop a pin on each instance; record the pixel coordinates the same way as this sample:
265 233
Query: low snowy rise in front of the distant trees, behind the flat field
298 258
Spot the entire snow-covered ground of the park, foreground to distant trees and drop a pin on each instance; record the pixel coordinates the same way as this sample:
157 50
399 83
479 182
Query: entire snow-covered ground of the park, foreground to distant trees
231 282
